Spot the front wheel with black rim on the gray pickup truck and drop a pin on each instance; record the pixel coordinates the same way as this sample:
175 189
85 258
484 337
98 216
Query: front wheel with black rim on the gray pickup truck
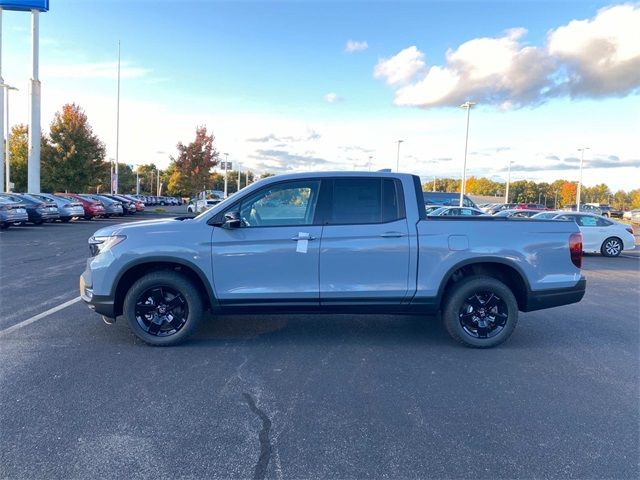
162 285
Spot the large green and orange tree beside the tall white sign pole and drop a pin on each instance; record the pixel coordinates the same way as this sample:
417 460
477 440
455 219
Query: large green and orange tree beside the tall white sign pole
73 158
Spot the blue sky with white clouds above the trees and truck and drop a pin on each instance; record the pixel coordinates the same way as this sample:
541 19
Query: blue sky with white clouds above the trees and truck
304 86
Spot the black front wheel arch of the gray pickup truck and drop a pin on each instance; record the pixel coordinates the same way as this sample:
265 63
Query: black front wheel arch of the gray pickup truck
137 269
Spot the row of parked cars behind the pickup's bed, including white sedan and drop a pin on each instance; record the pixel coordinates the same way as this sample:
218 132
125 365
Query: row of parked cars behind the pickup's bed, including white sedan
600 233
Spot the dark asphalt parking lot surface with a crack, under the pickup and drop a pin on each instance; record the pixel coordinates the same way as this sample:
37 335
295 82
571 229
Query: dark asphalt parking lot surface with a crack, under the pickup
327 396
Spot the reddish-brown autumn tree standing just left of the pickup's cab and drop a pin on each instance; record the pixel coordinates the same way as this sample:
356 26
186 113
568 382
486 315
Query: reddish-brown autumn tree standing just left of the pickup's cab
194 163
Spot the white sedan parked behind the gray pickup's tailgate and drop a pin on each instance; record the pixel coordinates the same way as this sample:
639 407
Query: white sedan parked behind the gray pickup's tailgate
601 235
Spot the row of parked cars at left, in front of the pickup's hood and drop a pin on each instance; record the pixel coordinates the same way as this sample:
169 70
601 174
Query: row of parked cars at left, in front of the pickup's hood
37 208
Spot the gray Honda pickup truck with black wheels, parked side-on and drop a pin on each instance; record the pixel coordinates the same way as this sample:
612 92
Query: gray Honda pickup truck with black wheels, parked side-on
332 242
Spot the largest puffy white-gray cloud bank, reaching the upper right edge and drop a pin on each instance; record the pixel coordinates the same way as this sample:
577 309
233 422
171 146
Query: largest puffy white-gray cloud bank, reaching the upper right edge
593 58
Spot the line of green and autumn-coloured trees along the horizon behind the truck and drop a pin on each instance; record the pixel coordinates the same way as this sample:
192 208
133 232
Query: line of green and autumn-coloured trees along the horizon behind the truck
73 159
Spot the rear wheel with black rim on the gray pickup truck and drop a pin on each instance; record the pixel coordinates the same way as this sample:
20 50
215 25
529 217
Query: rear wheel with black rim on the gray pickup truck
472 324
